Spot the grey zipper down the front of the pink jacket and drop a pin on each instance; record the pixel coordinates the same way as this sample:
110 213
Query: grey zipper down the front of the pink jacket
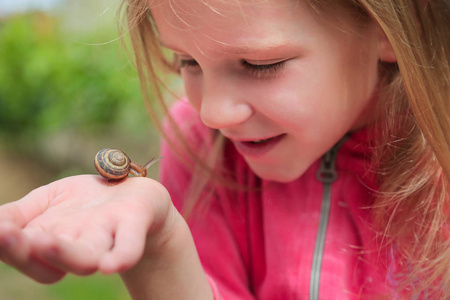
327 175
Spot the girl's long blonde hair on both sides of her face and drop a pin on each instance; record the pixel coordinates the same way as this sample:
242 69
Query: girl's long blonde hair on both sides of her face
413 153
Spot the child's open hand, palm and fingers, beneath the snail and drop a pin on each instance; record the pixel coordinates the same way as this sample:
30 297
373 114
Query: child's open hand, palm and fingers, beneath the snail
82 224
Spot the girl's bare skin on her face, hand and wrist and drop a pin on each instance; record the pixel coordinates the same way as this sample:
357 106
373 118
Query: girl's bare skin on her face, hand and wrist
324 88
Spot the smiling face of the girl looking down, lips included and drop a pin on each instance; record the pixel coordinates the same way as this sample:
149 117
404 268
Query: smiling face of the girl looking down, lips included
283 85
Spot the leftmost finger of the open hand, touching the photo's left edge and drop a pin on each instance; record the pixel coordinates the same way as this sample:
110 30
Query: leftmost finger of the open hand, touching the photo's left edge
15 251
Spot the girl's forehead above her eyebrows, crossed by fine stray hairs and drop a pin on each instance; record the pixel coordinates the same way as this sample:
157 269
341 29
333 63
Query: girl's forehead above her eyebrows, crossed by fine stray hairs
227 22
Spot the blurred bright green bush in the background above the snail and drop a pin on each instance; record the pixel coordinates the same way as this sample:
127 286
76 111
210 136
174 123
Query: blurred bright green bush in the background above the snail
51 83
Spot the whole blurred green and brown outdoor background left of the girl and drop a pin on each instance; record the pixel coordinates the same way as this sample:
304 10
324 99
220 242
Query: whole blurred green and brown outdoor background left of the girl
67 89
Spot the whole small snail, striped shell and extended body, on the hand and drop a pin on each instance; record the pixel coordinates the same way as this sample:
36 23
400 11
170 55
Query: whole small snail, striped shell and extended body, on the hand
113 165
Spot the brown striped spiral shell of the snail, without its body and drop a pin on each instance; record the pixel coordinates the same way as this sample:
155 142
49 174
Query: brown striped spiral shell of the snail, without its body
112 164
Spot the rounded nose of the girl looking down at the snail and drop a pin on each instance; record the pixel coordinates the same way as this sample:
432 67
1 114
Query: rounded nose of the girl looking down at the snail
222 105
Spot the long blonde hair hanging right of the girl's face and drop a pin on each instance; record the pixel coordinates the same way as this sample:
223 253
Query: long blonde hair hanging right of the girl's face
415 166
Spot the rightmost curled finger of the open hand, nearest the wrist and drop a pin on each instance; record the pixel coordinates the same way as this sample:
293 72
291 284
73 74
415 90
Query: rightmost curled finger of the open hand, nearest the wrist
129 243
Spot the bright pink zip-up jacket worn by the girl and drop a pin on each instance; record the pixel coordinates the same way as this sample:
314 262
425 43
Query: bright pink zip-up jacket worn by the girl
281 240
